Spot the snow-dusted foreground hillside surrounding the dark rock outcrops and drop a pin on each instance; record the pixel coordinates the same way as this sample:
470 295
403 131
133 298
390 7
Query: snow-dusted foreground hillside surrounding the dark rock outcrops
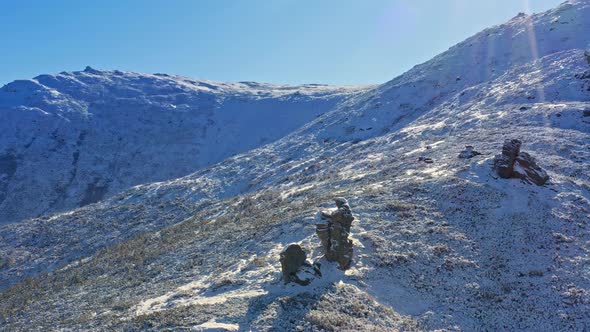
444 245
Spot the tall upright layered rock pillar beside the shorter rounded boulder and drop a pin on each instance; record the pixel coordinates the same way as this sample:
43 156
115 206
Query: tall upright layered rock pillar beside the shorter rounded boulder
333 232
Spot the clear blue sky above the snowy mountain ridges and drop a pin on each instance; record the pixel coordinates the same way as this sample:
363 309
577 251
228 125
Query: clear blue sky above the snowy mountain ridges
278 41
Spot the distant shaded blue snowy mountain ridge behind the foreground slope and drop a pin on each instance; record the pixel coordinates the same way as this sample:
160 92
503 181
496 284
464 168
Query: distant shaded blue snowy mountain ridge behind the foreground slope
71 139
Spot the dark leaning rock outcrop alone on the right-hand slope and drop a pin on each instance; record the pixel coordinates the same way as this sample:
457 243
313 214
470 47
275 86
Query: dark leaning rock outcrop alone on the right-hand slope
513 163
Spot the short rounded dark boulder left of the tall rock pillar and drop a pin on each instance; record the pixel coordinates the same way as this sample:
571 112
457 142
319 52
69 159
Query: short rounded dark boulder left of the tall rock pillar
295 266
